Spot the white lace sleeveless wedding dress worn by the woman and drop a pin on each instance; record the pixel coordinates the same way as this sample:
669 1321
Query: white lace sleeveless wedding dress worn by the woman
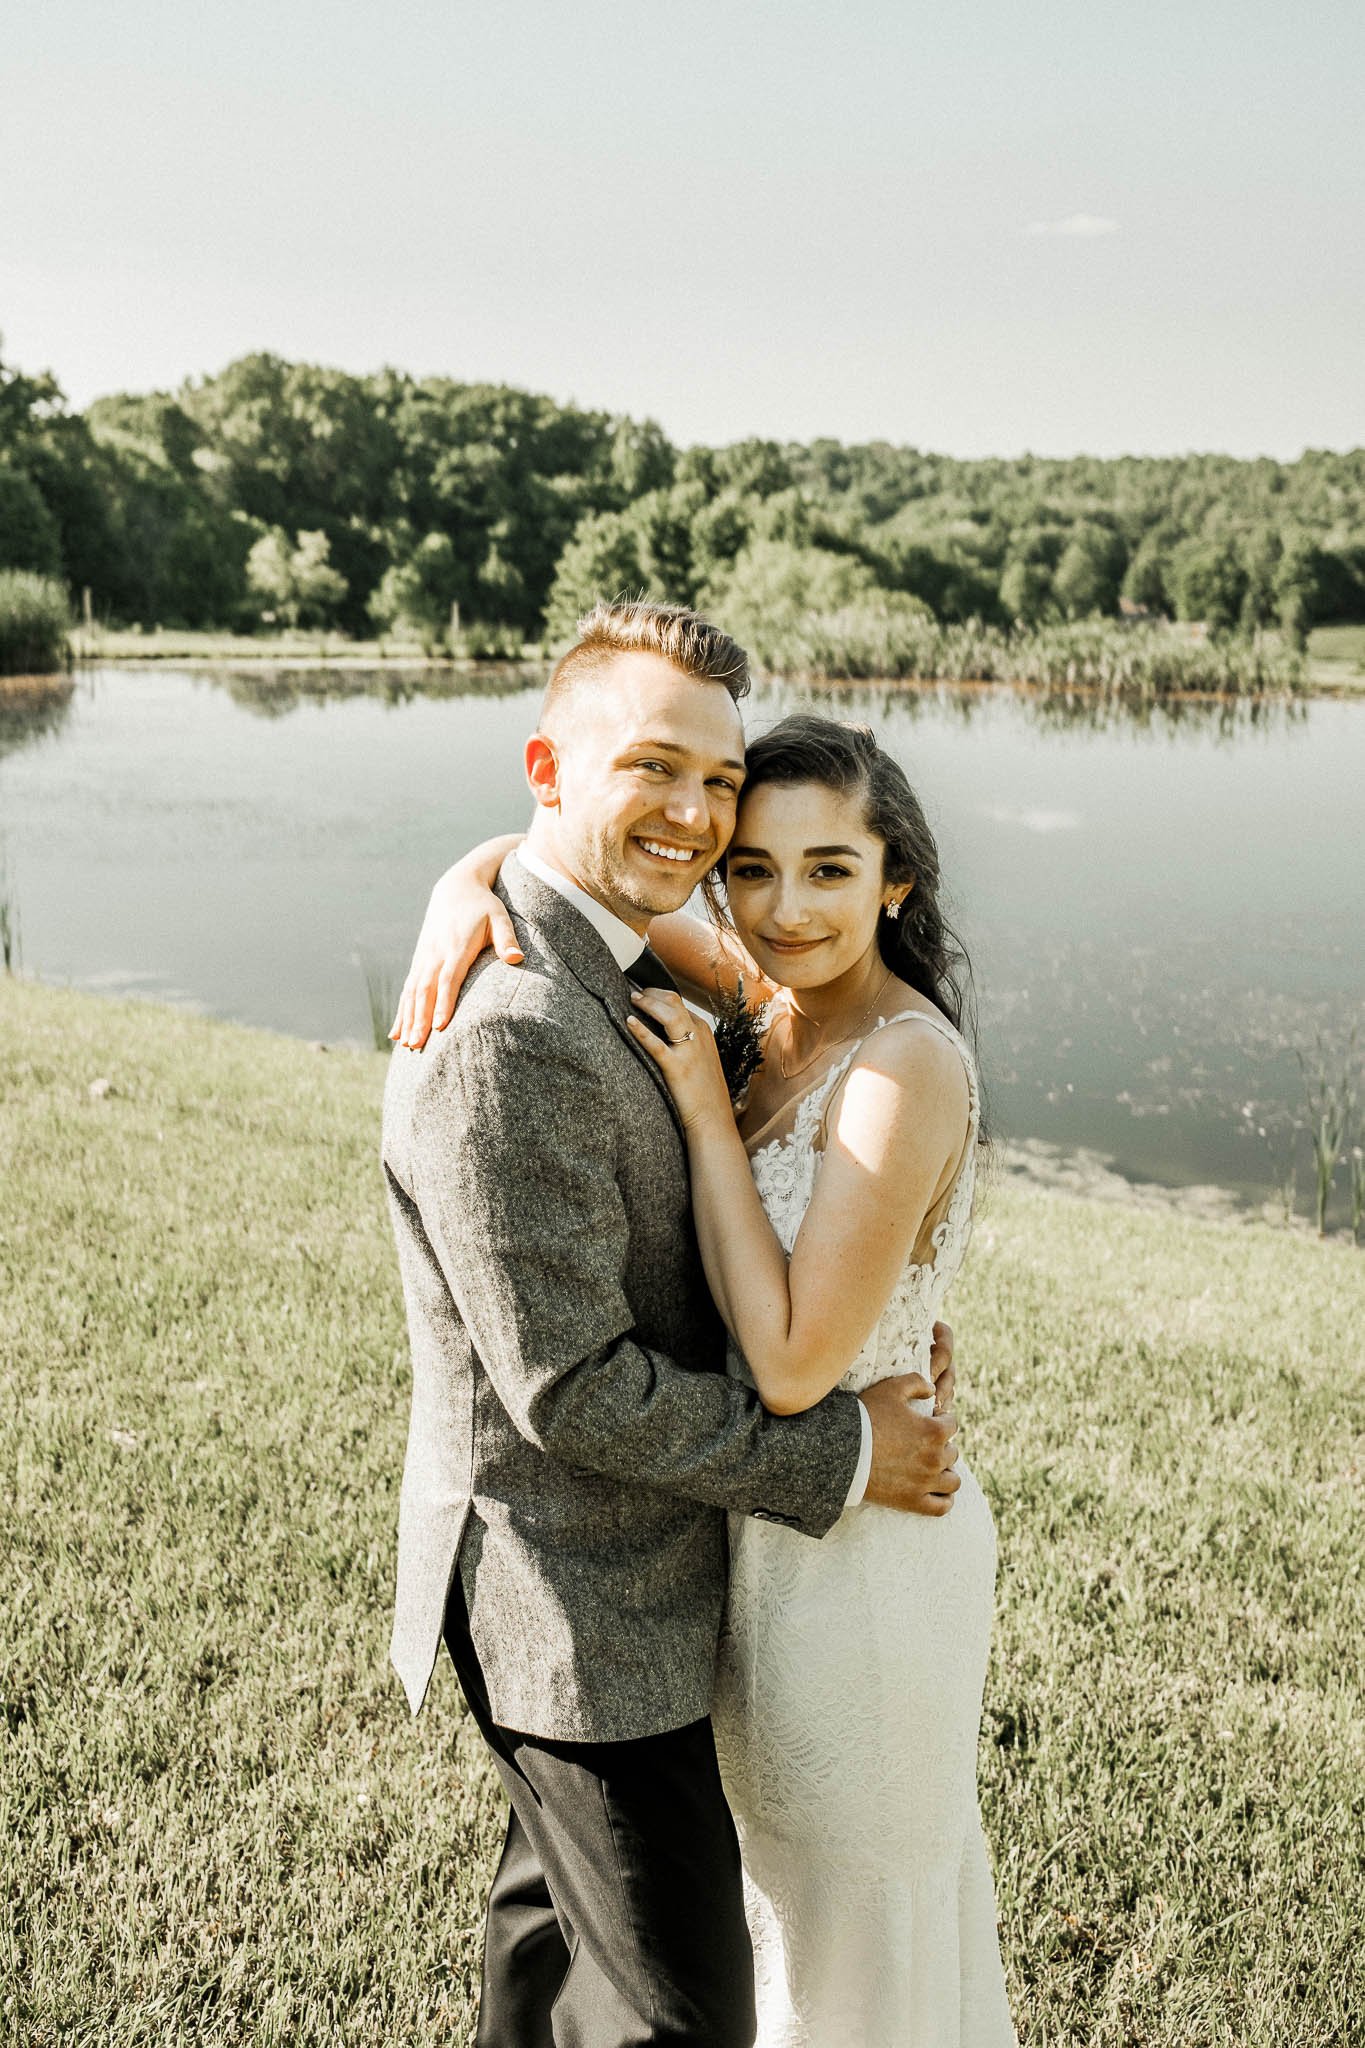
848 1707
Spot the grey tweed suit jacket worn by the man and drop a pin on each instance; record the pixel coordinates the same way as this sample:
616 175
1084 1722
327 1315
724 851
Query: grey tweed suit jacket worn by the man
574 1435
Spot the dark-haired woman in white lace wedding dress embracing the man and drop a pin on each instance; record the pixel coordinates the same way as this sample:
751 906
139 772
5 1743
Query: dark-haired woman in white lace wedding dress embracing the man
834 1209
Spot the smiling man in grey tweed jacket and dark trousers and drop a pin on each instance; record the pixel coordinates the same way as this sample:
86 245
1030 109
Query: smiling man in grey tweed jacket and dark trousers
574 1437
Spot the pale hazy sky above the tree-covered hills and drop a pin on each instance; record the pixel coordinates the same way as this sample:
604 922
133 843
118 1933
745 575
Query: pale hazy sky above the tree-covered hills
977 228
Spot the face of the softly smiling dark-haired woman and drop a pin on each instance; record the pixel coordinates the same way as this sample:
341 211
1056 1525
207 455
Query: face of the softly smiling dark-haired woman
805 882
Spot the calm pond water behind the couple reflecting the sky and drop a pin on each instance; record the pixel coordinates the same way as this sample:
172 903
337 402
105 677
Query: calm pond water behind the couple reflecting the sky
1163 912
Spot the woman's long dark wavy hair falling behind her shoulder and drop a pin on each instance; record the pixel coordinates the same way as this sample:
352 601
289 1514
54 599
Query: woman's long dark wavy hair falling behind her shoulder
920 945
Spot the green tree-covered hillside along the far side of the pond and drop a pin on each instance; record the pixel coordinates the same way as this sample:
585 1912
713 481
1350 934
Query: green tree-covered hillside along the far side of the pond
290 495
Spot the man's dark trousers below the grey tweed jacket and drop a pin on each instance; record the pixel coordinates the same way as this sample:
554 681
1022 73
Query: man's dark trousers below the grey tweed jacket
617 1910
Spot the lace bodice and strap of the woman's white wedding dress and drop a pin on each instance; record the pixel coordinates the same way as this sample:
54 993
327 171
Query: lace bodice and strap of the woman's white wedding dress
785 1175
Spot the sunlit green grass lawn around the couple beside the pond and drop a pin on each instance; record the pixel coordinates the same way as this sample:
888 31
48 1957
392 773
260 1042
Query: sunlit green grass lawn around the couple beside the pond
222 1824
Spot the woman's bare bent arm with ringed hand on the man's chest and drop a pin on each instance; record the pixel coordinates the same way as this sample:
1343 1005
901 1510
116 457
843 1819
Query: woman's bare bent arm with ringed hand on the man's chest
891 1156
